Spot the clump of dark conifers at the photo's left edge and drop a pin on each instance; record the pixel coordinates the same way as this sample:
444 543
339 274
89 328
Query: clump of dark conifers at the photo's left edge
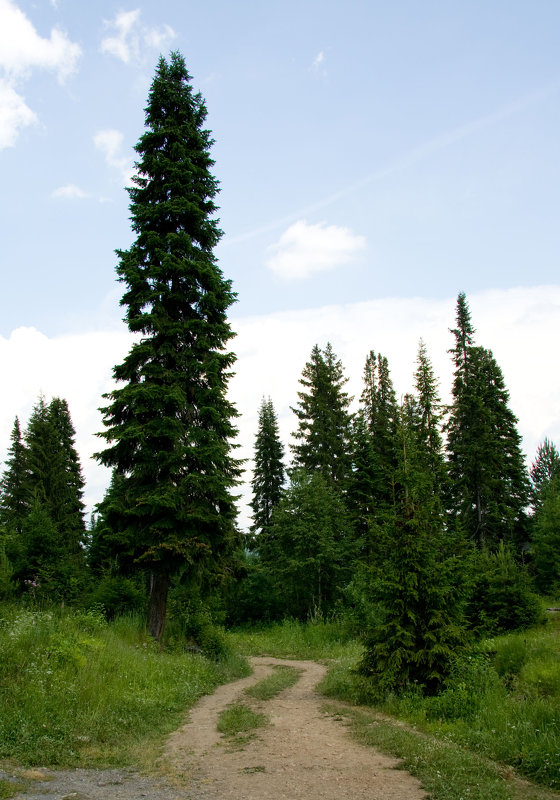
42 508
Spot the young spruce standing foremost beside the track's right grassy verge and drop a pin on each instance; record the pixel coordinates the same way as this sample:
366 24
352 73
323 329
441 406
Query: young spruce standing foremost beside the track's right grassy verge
417 583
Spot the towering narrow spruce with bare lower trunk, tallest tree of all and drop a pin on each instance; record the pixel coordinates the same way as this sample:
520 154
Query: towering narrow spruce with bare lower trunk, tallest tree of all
169 423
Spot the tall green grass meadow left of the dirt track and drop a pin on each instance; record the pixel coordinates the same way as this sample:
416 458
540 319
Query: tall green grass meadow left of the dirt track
75 690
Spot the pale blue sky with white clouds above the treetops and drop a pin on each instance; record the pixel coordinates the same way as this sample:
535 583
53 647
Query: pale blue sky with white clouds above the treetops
375 159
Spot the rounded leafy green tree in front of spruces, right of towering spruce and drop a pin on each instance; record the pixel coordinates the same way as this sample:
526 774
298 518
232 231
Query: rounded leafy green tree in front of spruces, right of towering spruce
308 548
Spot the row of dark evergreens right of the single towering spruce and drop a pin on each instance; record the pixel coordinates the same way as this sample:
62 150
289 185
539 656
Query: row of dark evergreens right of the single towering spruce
421 521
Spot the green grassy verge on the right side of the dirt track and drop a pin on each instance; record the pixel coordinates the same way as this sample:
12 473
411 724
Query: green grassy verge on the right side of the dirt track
499 710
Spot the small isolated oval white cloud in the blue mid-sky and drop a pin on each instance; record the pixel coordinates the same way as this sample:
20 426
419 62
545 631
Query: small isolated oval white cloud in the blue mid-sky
304 249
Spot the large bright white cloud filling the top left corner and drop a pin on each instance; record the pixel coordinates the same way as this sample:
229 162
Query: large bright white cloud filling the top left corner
22 49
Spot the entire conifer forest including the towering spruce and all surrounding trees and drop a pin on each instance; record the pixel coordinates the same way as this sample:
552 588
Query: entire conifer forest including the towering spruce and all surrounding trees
418 523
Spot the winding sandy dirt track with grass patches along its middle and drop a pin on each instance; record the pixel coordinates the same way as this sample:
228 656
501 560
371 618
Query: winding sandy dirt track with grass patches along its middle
303 753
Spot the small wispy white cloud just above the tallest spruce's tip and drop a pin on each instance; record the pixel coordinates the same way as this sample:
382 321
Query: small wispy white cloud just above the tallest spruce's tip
130 36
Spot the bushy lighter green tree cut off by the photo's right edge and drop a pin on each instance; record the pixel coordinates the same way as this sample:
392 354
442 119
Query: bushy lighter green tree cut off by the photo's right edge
545 547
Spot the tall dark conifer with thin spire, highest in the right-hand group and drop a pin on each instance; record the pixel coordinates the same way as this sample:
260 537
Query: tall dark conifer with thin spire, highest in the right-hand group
488 484
